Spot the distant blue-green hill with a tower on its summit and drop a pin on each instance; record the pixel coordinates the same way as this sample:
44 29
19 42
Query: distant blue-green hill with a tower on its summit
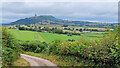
48 20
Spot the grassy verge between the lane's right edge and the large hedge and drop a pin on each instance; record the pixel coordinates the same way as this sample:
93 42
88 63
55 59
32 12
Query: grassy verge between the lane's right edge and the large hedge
61 60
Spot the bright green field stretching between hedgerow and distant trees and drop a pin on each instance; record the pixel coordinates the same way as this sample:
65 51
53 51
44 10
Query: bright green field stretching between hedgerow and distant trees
49 37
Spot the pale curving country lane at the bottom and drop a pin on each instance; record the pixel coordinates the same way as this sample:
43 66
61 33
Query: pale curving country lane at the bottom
37 61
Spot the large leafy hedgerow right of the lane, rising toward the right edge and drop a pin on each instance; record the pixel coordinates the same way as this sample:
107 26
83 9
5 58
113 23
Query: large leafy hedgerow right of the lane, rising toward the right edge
104 51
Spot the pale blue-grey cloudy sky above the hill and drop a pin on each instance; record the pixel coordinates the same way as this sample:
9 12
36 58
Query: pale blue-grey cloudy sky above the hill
103 12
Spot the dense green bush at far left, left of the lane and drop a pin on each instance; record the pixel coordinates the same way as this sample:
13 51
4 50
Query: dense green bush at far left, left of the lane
10 48
